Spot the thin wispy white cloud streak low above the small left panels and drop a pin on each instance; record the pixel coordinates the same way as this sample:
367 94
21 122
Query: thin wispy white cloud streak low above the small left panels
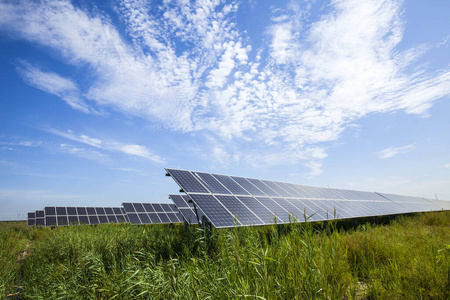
109 145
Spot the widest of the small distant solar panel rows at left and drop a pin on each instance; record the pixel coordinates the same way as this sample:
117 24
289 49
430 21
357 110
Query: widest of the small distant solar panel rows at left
62 216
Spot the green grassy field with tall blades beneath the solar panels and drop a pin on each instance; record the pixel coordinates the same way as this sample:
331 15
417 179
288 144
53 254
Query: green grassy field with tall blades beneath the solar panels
406 259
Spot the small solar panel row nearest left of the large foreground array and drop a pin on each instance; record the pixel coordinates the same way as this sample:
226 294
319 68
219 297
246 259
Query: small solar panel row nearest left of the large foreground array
152 213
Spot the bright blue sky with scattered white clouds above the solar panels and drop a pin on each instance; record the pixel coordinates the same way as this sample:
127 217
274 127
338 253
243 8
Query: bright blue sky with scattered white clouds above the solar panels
97 98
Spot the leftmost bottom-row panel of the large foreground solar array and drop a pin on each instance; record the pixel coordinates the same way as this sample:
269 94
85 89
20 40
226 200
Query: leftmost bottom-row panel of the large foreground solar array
214 211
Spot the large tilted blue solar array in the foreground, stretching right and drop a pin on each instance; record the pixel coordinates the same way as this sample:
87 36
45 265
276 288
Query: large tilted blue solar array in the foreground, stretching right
229 201
